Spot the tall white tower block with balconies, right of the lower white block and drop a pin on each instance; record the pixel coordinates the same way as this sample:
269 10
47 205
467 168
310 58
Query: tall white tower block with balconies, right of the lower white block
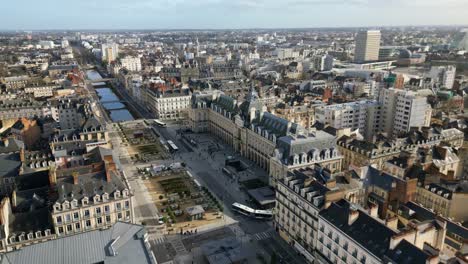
402 110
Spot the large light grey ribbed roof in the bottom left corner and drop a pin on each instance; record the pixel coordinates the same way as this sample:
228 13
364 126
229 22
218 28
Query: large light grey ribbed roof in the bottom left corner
126 240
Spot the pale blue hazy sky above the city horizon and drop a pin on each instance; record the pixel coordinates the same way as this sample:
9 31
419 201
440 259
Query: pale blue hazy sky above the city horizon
218 14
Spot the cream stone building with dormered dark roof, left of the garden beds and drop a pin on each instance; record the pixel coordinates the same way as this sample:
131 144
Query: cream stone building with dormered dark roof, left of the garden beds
90 201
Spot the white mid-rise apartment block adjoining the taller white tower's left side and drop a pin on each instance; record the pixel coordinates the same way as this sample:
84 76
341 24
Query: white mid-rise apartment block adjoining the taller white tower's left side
363 115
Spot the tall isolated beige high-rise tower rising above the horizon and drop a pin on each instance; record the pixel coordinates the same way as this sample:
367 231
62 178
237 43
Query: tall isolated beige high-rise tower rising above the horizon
367 46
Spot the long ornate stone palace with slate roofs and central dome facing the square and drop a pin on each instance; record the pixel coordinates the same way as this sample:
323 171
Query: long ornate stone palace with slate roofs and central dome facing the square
273 143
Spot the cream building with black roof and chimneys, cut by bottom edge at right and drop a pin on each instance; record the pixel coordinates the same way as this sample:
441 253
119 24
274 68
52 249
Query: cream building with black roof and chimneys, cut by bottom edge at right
347 234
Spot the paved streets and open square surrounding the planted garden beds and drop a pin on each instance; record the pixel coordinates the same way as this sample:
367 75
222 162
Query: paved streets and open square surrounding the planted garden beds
206 169
